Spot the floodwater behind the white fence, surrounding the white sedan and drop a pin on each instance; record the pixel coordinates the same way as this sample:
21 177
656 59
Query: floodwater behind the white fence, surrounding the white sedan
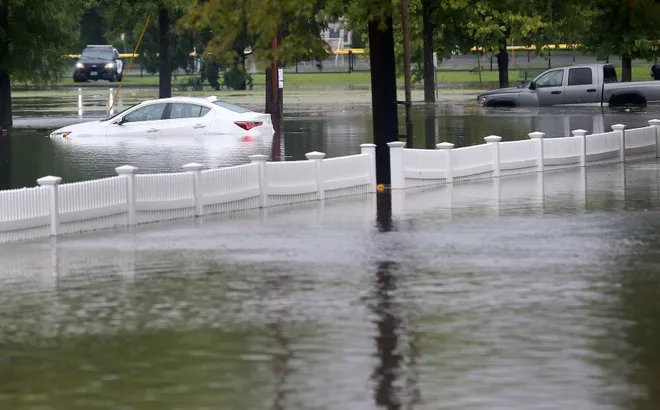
335 128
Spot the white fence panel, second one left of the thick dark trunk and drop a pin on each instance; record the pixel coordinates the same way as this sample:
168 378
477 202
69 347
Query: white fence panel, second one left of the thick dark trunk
290 181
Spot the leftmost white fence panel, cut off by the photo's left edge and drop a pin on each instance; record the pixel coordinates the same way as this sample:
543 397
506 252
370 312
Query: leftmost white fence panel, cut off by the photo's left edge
24 208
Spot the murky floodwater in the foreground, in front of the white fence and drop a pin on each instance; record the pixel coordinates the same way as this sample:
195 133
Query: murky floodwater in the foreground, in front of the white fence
528 294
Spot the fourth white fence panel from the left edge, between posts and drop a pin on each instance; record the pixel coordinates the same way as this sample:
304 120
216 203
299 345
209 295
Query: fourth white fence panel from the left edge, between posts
232 188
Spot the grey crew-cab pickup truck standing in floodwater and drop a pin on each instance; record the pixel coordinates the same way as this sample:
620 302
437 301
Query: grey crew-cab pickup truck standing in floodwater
589 84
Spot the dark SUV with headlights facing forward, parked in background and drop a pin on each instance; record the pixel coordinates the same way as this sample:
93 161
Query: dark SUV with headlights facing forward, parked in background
98 63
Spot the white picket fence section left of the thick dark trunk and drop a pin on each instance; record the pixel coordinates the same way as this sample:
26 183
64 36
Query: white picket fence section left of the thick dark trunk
130 198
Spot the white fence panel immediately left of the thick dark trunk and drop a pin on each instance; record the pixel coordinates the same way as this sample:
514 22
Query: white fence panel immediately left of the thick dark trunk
346 174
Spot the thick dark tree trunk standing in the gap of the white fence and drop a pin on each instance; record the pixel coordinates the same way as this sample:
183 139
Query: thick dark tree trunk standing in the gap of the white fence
383 95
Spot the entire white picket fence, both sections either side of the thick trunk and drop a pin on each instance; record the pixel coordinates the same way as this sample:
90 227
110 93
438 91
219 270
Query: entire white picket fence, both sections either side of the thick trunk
128 199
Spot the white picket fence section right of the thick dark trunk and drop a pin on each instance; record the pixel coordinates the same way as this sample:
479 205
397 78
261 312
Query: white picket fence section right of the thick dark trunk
418 167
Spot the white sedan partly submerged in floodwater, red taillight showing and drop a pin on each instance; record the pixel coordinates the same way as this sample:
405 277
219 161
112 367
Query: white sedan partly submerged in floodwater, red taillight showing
179 117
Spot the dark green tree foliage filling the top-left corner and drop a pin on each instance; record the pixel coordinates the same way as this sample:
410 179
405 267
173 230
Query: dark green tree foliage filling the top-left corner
38 34
